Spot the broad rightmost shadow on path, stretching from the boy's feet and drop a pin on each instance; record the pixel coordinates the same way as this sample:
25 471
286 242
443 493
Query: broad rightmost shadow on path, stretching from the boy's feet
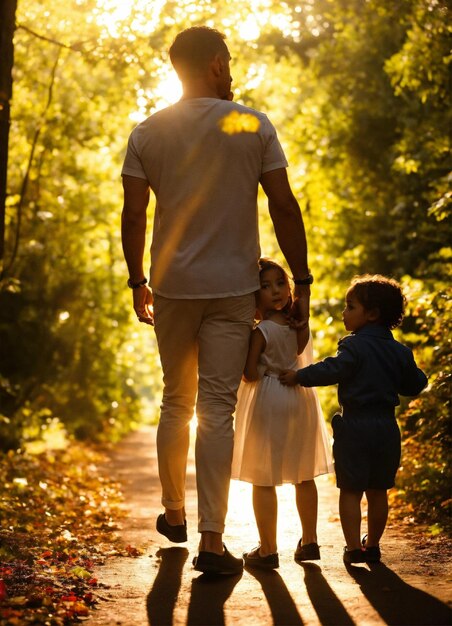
398 603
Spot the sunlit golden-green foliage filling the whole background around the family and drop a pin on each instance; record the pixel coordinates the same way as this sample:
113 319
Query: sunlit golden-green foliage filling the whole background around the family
359 92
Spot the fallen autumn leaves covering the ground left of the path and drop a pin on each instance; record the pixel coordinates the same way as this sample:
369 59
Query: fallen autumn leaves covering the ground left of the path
56 520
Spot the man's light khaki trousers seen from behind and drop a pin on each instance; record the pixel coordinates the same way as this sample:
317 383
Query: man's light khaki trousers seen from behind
203 346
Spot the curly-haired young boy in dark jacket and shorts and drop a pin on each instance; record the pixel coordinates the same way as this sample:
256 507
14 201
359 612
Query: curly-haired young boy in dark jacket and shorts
371 370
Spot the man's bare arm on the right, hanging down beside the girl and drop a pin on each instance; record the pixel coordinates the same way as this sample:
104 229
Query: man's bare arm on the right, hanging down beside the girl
290 233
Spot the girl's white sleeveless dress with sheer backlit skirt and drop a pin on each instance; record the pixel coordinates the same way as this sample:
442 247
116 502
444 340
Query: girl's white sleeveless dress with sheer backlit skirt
280 433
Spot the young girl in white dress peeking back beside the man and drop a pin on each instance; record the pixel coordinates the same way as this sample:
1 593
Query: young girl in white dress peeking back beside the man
280 434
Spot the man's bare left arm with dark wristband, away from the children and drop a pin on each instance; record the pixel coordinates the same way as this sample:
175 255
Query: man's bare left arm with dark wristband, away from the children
133 234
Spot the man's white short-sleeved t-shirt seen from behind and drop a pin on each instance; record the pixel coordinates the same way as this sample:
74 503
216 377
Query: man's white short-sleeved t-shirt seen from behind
203 159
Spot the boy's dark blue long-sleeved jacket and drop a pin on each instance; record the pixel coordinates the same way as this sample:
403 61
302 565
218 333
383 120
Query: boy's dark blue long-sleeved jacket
371 369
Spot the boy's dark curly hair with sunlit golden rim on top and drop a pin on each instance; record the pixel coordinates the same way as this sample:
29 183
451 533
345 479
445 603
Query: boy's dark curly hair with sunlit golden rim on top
381 293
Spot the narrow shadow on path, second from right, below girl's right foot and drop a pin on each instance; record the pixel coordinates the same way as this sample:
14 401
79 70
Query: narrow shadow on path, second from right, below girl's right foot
329 609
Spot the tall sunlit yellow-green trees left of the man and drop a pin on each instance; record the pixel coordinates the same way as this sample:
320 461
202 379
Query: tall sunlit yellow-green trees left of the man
67 344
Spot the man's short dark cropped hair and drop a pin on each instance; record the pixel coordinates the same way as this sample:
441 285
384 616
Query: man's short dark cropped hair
194 48
